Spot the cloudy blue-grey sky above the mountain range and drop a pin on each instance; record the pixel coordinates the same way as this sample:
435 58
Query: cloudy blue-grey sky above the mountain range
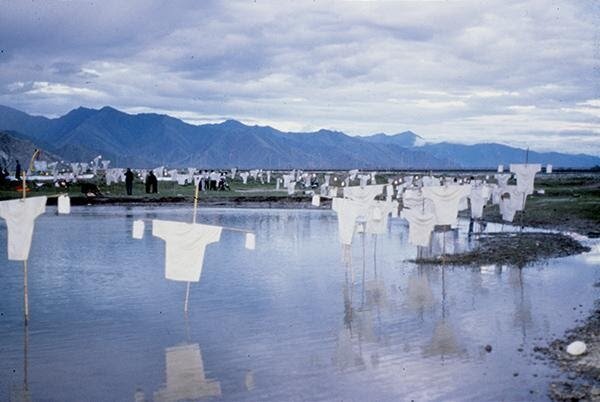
523 73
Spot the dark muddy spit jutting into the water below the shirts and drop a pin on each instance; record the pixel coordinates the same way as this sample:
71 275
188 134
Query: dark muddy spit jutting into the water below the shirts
517 249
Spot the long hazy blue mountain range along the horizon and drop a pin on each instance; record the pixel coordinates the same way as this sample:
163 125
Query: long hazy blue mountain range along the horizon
145 140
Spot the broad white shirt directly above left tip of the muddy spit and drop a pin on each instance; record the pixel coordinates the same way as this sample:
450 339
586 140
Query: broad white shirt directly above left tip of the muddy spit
446 200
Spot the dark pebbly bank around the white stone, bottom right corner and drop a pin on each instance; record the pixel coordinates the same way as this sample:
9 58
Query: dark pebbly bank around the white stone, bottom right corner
582 372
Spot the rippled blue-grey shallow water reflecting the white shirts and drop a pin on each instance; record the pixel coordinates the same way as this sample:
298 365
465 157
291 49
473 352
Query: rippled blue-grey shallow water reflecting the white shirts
287 321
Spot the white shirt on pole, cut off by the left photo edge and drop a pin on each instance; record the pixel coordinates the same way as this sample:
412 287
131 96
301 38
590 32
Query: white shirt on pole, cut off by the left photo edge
20 218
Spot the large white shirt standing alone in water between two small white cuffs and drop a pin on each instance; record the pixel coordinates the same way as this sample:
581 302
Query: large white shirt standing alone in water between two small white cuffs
185 246
